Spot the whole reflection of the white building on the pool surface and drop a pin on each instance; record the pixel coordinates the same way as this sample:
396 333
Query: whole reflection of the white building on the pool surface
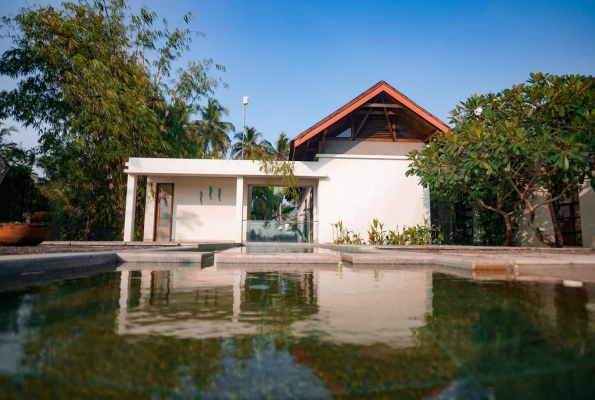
343 306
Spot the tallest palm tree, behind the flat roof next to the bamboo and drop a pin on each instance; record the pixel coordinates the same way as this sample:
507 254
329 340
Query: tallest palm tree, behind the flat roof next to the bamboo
213 133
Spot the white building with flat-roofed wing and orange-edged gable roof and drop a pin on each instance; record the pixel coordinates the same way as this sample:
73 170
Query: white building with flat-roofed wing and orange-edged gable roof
351 167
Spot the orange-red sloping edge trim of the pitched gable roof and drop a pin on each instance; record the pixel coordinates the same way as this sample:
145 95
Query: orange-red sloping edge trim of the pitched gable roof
381 86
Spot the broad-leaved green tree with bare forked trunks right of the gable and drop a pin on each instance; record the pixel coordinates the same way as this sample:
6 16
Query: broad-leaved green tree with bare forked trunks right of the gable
508 147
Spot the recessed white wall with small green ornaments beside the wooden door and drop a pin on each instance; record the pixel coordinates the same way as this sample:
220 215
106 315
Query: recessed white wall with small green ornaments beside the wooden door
214 220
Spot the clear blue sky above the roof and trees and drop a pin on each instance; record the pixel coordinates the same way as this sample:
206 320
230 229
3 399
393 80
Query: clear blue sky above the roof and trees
299 61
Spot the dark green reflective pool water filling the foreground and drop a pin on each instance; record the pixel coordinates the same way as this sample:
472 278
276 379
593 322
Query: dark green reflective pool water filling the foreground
168 332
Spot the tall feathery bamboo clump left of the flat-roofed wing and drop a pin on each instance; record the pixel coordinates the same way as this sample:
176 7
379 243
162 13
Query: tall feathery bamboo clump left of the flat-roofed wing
88 83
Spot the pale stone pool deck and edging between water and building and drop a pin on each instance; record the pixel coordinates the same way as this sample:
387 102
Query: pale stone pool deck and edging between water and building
474 262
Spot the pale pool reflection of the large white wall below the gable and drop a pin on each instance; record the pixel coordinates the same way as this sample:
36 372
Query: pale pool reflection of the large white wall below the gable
389 305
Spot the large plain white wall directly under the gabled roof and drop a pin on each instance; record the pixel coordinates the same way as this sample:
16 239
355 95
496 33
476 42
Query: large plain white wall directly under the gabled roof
359 189
